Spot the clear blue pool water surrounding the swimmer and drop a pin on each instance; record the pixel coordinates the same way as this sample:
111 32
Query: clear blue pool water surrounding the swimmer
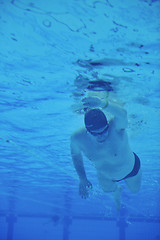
53 55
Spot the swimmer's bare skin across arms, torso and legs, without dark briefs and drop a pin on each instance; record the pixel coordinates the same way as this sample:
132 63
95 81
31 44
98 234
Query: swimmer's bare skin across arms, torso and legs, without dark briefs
110 153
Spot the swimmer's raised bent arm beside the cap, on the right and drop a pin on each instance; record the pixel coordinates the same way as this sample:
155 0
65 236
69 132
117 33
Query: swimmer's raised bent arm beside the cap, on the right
120 114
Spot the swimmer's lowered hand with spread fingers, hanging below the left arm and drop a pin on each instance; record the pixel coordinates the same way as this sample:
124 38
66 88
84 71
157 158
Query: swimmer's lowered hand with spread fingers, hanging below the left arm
84 186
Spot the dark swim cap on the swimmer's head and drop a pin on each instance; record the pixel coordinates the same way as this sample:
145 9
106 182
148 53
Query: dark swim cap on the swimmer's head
95 119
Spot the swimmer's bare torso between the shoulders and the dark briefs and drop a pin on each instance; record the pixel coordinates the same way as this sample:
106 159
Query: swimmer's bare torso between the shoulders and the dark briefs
112 158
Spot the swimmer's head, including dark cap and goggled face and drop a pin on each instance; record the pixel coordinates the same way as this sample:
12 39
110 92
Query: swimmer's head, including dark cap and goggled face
96 122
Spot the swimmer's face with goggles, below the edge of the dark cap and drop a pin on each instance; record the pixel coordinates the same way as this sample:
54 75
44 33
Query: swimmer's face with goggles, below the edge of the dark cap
100 134
